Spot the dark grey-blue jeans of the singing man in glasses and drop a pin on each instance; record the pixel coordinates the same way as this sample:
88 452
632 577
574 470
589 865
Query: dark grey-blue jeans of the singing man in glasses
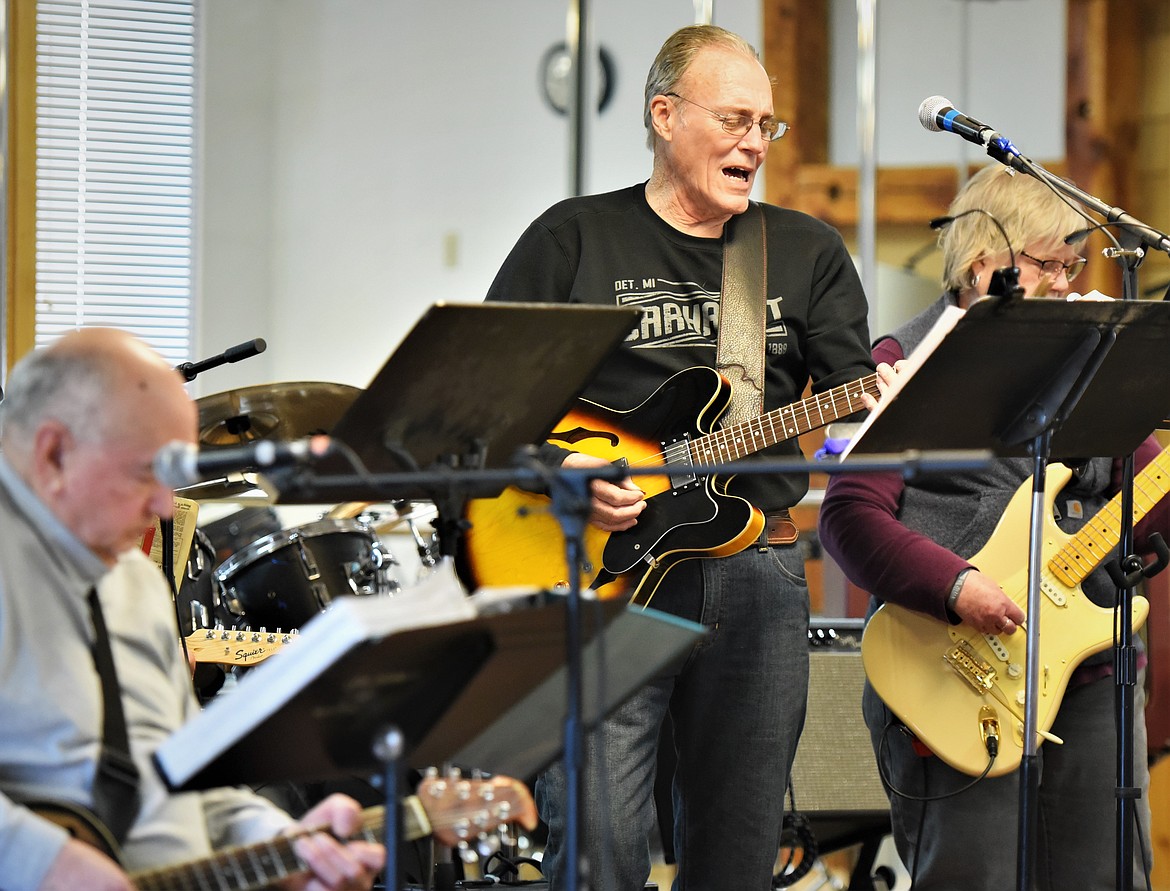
738 704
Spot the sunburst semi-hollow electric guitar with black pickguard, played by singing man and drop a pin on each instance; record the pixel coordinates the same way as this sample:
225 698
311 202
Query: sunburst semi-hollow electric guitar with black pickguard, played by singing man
515 540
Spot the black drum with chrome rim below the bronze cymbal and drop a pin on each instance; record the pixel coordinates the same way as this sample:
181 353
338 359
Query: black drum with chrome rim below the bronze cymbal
284 581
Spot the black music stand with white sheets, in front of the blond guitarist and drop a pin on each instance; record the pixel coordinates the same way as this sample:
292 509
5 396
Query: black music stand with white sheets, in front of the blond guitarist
1036 378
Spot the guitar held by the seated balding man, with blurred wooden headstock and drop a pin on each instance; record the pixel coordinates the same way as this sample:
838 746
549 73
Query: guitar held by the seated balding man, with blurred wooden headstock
452 809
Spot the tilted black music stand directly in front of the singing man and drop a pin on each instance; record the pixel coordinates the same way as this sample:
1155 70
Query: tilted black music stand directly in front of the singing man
470 386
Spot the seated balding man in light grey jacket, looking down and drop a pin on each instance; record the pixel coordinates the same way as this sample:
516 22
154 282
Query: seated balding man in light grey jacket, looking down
81 424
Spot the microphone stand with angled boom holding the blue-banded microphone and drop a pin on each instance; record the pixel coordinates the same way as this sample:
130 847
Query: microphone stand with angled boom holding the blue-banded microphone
1130 254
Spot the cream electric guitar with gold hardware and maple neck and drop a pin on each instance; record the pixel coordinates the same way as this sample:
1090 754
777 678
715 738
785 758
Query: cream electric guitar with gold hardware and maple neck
940 679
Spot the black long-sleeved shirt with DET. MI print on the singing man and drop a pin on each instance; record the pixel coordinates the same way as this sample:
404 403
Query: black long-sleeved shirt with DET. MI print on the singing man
614 250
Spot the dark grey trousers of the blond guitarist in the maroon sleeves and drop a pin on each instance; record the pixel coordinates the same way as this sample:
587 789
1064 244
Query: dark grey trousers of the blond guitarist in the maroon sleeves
972 841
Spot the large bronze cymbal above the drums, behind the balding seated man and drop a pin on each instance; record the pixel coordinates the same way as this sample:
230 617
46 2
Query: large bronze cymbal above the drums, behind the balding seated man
290 411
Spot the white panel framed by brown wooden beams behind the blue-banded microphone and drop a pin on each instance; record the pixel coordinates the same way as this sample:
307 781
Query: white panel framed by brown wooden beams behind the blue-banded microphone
1000 61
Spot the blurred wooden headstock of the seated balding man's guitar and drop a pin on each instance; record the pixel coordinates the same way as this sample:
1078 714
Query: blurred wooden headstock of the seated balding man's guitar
459 810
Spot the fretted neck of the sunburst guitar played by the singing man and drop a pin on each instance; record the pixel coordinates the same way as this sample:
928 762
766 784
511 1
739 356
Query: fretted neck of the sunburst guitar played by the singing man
783 424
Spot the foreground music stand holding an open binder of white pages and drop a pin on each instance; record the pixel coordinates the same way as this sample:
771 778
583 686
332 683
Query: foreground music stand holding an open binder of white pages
467 681
